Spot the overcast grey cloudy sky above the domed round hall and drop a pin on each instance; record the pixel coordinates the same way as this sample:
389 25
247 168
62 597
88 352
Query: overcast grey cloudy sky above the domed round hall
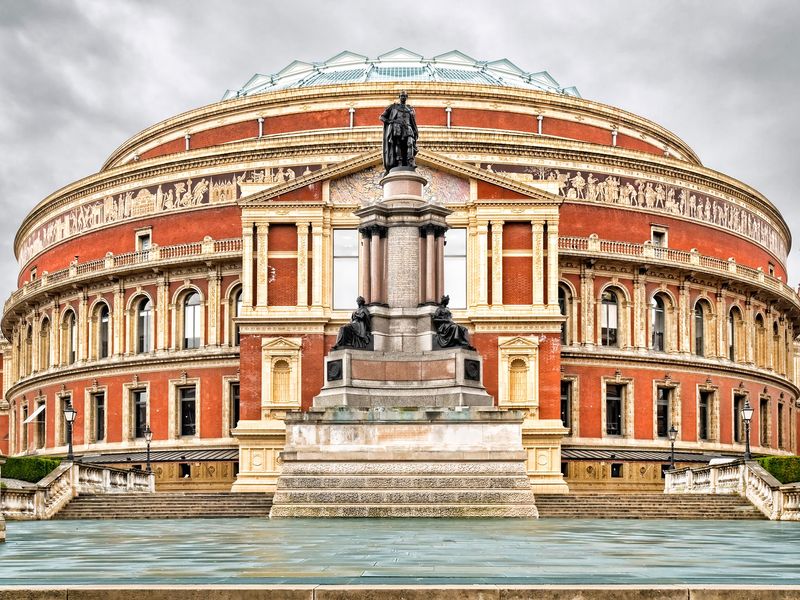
81 76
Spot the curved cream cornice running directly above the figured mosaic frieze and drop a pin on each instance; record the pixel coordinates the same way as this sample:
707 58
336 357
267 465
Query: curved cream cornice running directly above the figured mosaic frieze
346 143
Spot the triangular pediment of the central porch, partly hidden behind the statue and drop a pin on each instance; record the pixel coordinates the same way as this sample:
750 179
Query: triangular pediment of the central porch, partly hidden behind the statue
356 181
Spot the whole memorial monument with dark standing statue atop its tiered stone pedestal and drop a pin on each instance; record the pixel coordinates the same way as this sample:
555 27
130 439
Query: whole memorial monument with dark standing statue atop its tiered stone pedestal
403 426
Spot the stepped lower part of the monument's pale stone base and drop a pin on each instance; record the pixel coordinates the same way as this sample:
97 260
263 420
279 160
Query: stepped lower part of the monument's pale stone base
403 489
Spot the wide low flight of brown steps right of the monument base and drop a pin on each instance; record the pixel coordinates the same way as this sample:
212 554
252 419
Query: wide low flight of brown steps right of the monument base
646 506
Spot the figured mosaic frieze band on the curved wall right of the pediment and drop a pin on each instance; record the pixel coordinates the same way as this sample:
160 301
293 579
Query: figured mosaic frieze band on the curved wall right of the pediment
593 186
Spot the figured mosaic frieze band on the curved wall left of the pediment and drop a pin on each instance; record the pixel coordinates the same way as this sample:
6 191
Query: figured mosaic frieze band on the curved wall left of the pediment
152 200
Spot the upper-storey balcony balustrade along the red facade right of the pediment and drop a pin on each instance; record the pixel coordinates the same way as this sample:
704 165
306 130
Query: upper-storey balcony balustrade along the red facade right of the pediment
626 250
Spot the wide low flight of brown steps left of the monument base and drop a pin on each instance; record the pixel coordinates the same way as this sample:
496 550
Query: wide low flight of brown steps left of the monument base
167 506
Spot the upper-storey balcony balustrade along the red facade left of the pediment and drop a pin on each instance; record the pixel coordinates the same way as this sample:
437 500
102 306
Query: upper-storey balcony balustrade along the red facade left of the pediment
154 256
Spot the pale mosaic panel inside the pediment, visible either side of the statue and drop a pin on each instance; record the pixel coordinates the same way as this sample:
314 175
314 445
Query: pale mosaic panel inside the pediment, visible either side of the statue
364 187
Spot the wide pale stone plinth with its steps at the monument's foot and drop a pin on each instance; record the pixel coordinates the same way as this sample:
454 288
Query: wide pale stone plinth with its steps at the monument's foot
391 462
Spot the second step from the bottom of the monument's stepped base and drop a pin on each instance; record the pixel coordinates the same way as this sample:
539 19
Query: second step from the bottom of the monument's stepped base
401 496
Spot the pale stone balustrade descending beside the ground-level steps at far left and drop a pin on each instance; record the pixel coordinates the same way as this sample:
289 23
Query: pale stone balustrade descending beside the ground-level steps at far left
53 492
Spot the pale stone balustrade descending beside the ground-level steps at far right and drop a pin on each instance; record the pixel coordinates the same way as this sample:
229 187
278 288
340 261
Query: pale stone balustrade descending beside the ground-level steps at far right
779 502
